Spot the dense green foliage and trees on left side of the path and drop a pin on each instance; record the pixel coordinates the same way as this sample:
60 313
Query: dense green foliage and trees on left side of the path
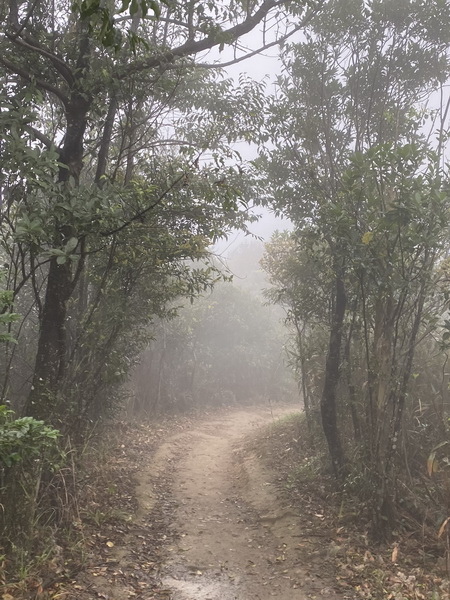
117 173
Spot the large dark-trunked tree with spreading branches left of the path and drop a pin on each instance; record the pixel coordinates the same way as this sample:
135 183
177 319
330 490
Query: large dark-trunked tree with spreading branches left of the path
101 129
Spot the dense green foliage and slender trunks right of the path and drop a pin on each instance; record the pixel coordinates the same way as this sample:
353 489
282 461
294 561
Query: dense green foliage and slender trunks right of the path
358 164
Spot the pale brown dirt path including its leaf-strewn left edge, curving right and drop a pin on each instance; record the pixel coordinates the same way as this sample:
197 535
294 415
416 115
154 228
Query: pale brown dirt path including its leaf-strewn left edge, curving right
209 507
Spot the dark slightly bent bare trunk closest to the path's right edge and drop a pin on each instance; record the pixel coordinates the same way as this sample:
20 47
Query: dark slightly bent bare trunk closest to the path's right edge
332 375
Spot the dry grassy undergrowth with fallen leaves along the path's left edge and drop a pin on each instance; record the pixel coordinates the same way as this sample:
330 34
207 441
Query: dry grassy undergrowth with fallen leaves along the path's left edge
90 490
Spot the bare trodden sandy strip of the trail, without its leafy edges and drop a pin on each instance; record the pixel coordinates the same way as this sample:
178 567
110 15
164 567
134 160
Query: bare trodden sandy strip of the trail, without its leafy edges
236 542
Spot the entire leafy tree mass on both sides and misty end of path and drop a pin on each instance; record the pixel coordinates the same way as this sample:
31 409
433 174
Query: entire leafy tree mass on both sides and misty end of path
118 173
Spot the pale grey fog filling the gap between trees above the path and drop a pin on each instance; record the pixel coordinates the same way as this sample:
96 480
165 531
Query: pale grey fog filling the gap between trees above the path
226 348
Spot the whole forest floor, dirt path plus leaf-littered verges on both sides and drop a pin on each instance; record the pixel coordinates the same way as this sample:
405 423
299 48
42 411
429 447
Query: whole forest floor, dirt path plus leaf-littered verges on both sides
210 508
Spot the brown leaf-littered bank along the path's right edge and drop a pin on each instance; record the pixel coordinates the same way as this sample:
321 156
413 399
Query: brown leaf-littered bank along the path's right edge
412 566
